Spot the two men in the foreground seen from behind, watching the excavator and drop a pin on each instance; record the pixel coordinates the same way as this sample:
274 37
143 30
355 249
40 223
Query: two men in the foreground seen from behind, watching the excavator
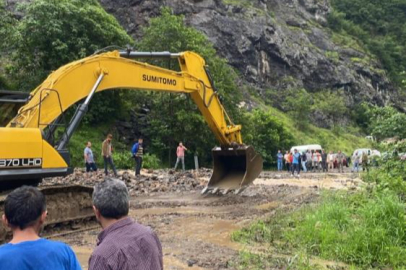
122 244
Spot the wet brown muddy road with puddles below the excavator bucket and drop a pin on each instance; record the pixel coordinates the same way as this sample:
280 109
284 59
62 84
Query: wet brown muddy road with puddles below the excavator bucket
195 230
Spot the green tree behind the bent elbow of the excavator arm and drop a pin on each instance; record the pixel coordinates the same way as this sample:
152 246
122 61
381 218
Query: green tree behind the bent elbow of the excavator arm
175 117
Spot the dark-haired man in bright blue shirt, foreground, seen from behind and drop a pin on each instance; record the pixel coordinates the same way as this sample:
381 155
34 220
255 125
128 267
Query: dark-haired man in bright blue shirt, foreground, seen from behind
25 214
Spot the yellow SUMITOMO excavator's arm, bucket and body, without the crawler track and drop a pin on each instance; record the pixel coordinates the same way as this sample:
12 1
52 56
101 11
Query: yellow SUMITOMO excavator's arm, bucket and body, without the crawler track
235 165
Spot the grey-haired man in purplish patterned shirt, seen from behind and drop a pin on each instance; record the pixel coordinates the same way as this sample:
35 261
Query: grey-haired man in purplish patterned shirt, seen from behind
123 244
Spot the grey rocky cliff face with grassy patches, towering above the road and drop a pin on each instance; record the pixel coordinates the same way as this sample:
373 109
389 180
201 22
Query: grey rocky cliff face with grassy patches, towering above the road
275 44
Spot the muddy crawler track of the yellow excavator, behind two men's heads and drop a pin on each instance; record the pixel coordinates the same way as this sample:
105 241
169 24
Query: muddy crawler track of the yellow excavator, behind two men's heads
69 209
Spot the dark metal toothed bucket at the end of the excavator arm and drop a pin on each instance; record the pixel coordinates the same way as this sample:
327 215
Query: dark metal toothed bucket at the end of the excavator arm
233 169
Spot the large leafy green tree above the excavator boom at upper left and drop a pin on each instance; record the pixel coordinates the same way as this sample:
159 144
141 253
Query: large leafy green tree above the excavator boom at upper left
53 33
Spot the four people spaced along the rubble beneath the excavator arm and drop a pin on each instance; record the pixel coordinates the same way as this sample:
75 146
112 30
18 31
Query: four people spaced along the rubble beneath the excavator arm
137 152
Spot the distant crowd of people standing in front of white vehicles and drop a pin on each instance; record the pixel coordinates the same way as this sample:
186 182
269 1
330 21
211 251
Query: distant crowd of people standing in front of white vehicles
319 161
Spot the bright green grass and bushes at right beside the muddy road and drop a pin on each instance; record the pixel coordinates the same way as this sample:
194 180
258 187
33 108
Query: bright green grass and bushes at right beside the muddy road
364 229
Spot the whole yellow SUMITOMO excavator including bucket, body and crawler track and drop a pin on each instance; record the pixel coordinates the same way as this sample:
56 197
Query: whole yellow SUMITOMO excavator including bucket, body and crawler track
29 150
